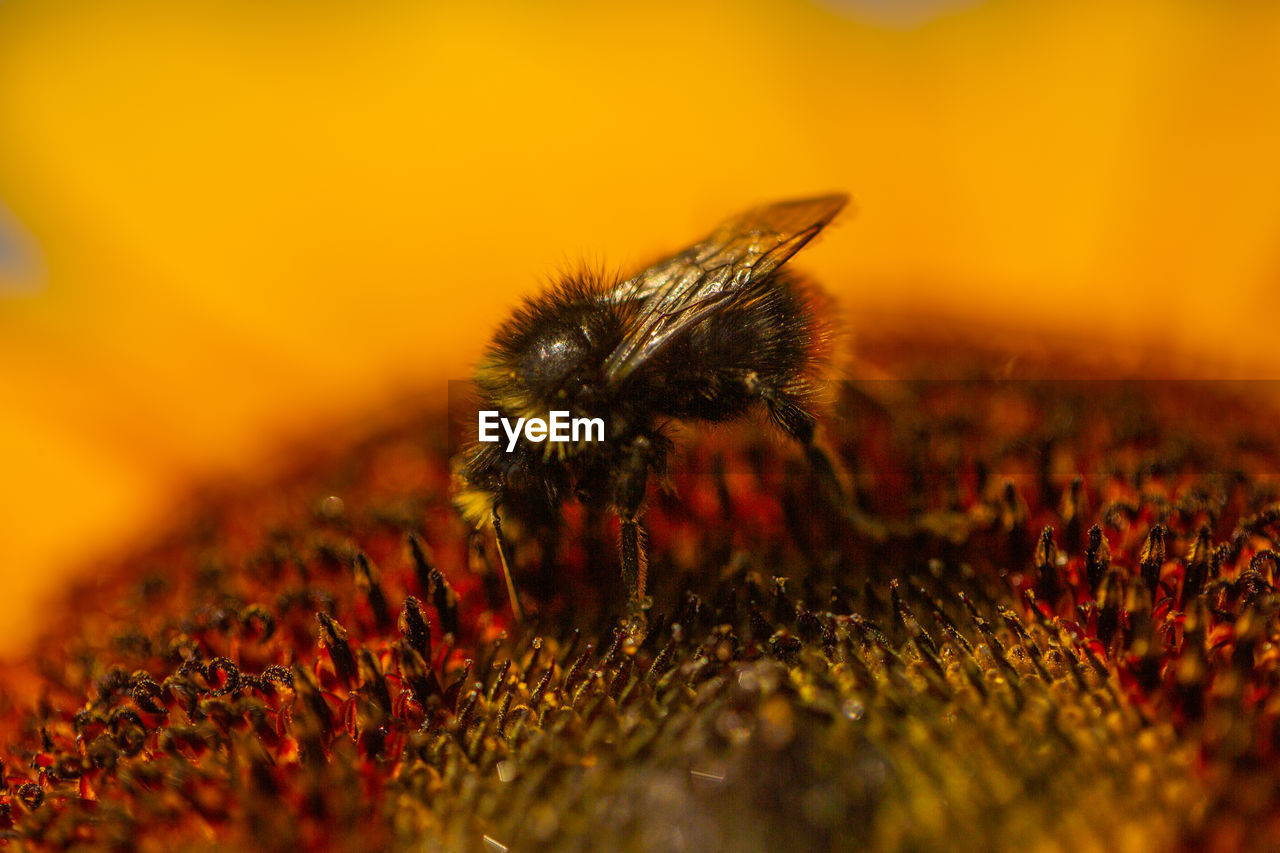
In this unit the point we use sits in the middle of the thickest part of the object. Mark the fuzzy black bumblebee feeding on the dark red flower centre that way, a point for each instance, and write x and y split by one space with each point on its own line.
707 335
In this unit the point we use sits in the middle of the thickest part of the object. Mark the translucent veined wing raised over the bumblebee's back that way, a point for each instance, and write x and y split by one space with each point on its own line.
678 294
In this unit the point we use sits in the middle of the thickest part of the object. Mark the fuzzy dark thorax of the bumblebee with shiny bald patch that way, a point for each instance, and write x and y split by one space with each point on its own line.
551 353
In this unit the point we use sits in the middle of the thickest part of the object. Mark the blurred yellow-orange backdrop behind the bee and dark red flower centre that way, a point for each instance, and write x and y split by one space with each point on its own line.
226 223
